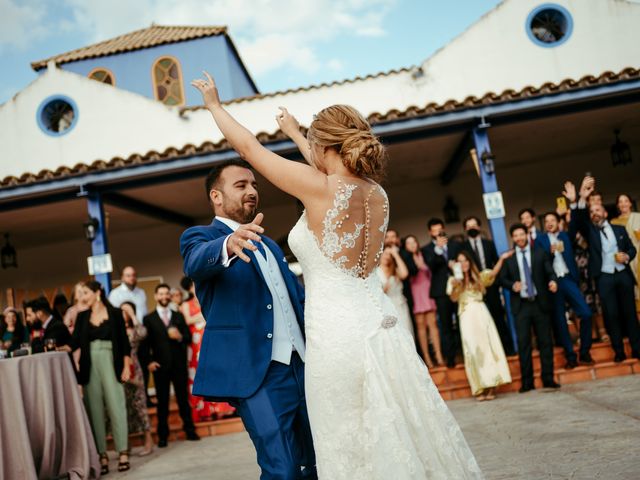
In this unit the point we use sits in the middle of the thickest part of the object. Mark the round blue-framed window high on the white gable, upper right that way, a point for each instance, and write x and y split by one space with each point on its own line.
549 25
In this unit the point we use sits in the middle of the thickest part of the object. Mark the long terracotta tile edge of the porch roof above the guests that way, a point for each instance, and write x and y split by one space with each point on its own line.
490 98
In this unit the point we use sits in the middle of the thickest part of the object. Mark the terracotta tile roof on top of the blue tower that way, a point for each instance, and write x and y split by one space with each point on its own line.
144 38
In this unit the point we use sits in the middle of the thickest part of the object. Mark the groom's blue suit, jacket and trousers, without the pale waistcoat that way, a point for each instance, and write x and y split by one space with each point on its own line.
235 358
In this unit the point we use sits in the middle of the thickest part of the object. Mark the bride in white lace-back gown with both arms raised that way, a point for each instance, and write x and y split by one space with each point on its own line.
374 411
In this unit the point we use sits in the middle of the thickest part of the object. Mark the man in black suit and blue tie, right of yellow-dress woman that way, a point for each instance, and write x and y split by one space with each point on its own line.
529 275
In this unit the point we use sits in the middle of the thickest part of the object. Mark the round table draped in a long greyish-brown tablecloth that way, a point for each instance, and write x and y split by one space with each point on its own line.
44 430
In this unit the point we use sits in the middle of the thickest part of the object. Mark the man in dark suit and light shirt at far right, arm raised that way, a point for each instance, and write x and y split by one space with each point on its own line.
610 251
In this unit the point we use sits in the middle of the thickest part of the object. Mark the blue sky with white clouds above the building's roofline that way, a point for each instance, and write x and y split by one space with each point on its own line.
284 43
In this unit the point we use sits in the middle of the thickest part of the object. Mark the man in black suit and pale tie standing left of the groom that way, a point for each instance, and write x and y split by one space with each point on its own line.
166 346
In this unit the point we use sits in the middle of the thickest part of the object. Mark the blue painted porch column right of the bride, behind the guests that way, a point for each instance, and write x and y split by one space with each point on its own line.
497 225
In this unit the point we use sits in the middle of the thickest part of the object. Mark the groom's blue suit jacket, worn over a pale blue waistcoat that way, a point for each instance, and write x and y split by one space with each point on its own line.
237 305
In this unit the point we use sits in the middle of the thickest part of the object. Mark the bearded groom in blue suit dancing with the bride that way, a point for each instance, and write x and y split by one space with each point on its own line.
253 346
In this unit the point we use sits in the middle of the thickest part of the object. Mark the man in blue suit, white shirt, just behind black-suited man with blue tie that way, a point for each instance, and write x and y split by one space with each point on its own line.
559 245
